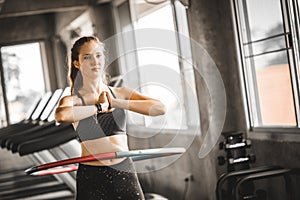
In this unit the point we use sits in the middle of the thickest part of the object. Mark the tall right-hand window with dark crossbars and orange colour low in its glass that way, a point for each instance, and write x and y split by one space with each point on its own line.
270 57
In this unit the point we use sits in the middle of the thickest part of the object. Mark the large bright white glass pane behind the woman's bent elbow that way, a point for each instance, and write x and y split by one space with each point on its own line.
155 64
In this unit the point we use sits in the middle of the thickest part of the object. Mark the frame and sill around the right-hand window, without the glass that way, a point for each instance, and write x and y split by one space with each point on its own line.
290 9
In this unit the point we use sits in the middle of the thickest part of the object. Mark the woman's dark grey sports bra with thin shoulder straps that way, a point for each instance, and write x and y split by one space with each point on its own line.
105 124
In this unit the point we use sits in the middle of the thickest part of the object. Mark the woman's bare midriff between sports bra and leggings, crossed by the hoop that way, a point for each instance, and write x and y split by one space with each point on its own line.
114 143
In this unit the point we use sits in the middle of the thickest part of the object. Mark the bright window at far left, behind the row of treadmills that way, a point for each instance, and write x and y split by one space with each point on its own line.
23 80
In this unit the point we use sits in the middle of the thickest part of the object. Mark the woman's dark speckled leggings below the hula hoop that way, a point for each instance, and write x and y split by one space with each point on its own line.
108 182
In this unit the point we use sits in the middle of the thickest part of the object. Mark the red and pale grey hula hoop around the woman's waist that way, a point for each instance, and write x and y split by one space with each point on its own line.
136 155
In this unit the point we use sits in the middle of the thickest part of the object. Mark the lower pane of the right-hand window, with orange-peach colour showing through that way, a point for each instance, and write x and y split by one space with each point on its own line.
275 90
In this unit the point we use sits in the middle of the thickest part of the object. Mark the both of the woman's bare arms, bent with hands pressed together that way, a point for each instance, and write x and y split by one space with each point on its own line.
70 108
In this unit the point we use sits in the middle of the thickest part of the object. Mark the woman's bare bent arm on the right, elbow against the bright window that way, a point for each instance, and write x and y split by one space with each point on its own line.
136 102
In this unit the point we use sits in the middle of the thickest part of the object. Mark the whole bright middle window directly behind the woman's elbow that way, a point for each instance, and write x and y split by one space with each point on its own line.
153 63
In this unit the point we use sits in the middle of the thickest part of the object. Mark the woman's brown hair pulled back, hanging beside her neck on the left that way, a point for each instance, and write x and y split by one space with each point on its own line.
74 73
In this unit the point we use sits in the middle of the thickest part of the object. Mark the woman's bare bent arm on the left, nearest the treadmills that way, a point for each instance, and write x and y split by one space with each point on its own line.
70 110
